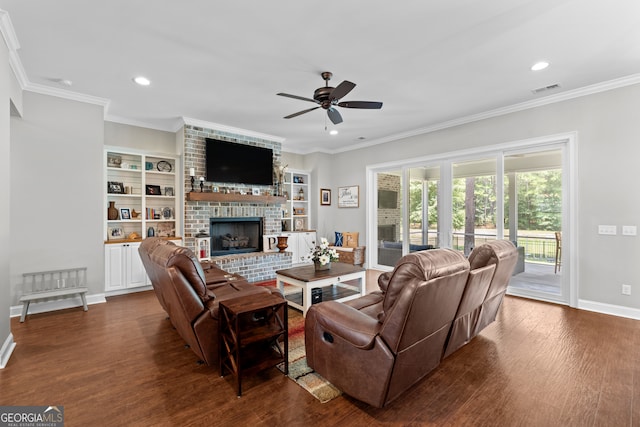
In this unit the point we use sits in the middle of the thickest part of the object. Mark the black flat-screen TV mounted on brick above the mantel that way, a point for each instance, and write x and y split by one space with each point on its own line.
235 163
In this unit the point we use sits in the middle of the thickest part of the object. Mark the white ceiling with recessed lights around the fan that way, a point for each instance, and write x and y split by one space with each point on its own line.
431 63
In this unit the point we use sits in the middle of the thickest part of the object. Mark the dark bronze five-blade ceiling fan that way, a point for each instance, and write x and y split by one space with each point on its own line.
328 97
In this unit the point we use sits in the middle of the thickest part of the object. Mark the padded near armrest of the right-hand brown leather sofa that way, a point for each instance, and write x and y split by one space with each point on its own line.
346 322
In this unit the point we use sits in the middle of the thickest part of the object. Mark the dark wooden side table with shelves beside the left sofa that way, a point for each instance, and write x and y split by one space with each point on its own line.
253 335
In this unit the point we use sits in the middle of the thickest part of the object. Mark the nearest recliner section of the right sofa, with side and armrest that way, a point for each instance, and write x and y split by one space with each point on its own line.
375 347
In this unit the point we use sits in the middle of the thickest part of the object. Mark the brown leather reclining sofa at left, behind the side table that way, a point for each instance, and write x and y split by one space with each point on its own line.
180 284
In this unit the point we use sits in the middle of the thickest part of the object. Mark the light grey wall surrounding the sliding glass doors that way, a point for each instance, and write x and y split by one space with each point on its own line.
608 147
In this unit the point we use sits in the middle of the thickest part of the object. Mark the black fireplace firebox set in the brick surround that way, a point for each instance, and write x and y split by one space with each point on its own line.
235 235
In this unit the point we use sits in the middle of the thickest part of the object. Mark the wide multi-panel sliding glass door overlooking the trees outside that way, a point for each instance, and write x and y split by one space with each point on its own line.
461 202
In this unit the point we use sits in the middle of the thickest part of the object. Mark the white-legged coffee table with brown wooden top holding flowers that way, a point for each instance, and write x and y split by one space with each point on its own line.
307 278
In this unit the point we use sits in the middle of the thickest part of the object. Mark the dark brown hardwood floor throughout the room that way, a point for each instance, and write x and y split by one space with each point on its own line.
122 364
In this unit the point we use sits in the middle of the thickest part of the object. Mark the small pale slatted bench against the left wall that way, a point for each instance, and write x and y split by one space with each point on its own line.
53 284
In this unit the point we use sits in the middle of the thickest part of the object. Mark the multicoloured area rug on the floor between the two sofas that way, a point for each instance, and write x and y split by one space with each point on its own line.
299 371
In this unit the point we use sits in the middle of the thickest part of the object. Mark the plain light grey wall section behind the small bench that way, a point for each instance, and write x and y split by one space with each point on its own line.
56 189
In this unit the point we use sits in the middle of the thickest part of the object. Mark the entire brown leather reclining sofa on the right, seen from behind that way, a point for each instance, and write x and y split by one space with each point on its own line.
375 347
